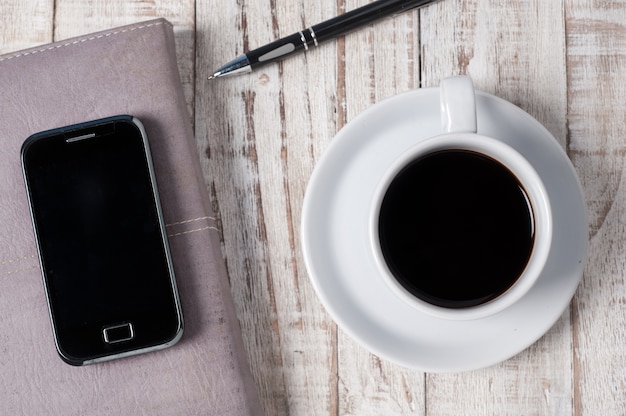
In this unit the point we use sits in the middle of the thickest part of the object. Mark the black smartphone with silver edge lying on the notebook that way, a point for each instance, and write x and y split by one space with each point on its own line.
101 240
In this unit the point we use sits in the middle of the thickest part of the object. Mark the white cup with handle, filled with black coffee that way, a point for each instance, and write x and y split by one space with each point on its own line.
461 223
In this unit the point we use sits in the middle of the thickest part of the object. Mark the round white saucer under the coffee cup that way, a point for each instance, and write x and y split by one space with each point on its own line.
340 262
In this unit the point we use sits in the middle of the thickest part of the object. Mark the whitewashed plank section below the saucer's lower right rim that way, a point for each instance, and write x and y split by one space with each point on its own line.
535 382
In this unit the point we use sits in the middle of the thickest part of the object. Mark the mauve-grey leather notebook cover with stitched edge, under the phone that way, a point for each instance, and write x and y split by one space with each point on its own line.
128 70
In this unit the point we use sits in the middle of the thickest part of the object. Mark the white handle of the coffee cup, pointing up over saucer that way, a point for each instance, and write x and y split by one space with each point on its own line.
458 105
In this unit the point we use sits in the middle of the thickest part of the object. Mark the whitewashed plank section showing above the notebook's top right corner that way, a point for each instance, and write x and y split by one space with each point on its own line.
77 17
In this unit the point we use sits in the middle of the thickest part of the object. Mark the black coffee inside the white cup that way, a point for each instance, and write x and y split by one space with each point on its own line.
456 228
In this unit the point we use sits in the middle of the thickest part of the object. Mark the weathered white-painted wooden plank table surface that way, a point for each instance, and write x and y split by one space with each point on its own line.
259 137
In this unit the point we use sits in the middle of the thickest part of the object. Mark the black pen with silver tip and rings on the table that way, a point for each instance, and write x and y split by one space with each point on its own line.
316 34
